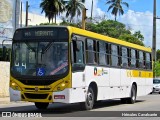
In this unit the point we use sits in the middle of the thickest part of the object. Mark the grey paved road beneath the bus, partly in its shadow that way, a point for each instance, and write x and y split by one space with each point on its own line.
146 105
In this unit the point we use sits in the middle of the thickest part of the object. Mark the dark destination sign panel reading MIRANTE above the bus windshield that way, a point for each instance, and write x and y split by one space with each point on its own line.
41 34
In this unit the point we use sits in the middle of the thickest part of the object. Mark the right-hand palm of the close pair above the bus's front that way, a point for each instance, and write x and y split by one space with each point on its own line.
74 7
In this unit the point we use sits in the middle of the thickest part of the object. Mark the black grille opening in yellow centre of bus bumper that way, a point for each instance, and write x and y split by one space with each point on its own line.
36 96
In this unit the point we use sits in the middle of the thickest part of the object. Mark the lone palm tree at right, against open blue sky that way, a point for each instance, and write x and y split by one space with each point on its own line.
116 6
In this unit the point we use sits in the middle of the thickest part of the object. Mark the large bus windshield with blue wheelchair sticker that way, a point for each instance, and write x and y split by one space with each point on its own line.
39 58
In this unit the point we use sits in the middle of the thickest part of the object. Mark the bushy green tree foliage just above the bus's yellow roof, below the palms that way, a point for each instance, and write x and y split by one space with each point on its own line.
109 28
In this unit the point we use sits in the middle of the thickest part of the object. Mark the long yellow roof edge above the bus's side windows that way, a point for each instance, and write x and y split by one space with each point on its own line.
107 39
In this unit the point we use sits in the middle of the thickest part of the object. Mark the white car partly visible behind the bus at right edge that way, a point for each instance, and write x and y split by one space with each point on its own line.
156 85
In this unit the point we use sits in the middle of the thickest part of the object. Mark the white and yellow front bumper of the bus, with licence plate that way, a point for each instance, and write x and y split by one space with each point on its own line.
61 96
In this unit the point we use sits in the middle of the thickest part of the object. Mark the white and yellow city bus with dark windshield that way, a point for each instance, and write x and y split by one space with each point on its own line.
64 64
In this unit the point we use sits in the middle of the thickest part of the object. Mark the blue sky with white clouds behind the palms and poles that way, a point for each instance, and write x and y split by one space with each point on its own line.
138 17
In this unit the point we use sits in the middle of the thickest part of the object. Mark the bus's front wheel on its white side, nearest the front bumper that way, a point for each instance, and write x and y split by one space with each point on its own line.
89 102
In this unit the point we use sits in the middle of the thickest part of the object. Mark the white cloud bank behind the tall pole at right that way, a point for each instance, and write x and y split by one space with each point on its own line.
142 21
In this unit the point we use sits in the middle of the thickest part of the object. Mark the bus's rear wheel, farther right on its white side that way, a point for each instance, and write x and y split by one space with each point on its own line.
132 99
